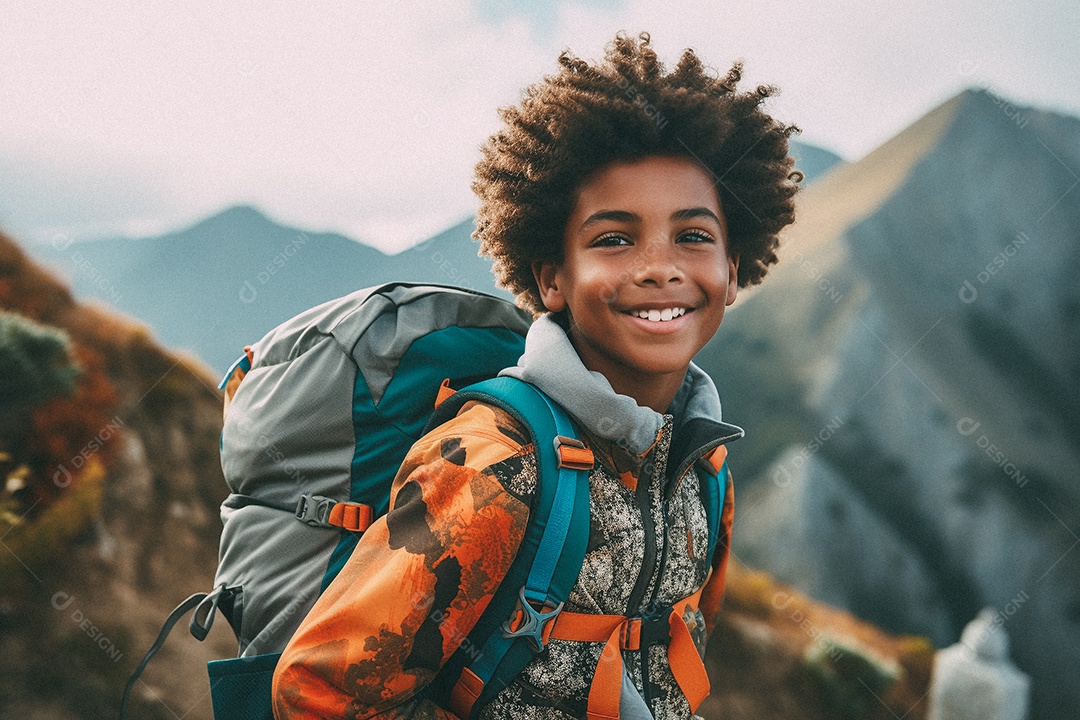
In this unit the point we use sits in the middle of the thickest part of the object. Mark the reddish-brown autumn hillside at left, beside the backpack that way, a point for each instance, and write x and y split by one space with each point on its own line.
109 517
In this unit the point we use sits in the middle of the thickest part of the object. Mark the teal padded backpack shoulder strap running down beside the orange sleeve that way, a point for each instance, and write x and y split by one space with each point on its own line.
519 620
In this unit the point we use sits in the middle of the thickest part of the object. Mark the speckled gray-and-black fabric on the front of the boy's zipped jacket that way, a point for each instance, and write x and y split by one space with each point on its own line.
647 549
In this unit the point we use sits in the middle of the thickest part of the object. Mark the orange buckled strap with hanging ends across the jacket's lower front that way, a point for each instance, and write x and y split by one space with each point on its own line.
619 633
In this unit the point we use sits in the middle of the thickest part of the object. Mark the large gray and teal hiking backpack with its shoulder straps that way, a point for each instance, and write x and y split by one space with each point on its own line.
319 416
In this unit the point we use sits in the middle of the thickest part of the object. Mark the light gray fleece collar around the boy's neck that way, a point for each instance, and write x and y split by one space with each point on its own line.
552 364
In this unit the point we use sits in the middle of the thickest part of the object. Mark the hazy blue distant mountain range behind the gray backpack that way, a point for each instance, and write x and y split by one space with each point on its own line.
224 282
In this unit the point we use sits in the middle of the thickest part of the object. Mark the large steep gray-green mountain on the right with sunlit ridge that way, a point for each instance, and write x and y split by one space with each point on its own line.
909 377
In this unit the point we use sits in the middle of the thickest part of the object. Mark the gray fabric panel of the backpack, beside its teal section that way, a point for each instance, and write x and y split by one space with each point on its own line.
289 431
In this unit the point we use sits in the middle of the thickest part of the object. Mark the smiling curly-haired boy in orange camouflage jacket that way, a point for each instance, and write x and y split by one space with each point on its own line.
625 208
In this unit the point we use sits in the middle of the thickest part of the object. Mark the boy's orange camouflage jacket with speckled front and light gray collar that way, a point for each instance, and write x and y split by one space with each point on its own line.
422 577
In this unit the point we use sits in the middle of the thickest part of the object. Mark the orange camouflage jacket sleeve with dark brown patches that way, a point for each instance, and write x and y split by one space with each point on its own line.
418 580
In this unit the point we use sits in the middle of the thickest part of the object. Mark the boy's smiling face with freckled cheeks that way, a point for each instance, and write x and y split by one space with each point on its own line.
646 274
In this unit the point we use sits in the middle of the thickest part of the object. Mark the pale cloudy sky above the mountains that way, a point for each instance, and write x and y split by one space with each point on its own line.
367 119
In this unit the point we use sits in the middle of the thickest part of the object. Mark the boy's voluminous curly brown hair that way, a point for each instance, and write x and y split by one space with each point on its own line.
574 124
